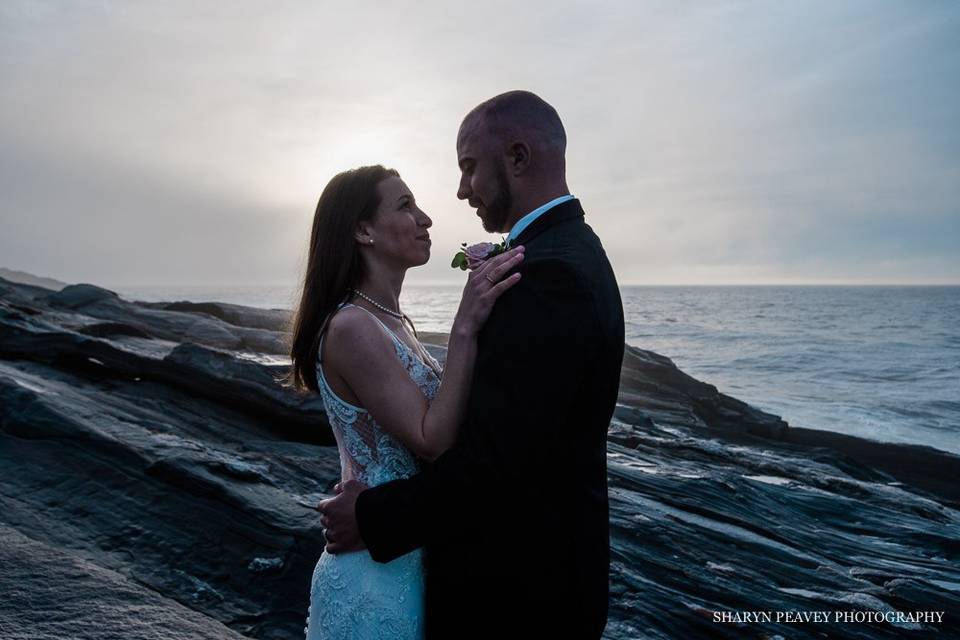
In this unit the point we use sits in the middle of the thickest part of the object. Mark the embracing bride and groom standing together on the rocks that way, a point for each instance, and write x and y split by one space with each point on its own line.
473 500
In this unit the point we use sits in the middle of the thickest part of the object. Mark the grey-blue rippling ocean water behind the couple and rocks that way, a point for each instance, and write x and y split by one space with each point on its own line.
880 362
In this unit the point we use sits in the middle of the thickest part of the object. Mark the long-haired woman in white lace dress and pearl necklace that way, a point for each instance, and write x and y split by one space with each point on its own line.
382 391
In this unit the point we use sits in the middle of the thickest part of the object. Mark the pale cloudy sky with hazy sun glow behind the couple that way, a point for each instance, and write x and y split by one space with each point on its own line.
814 142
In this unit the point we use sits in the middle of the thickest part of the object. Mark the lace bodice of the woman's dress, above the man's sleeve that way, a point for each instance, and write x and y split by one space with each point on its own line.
367 452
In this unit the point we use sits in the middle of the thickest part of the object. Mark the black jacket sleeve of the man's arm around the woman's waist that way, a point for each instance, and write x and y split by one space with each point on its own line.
536 344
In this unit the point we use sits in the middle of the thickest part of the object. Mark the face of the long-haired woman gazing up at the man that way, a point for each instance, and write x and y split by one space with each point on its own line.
399 228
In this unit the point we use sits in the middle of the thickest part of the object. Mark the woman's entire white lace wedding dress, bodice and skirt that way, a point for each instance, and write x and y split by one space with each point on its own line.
351 595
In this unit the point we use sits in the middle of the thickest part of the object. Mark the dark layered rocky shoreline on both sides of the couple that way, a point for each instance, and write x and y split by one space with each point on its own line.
154 475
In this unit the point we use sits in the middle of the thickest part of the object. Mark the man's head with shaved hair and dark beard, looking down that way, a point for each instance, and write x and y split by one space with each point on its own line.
510 150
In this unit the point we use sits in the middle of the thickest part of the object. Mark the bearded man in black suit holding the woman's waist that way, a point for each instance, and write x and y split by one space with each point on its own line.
514 517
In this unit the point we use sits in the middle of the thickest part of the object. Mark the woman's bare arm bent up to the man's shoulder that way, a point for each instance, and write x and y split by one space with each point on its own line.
360 352
